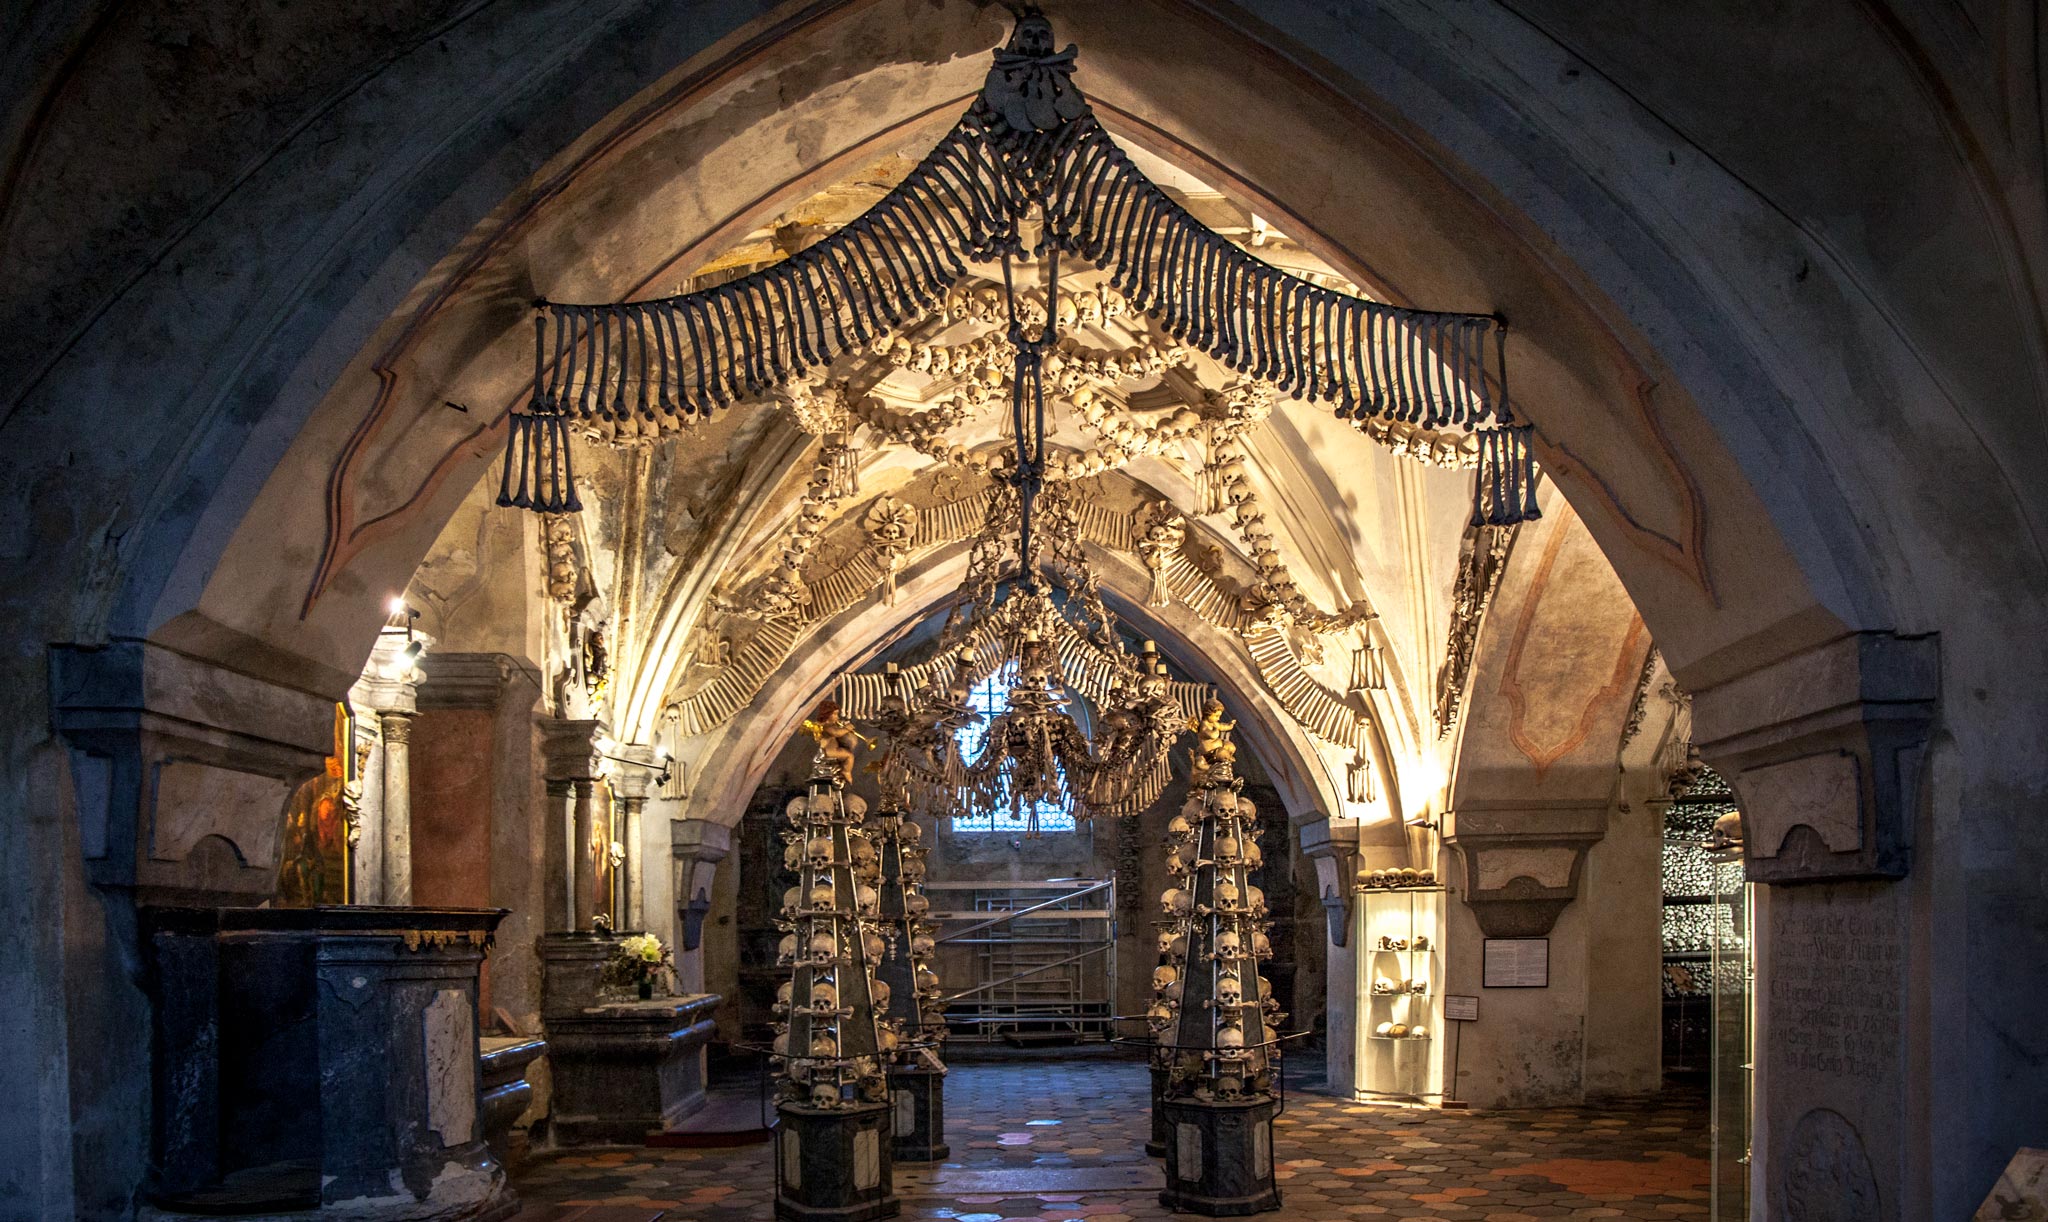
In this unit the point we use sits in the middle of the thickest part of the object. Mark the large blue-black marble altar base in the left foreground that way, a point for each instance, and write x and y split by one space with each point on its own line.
321 1061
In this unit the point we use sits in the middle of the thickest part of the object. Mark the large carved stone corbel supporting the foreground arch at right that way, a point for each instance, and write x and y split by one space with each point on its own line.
1826 756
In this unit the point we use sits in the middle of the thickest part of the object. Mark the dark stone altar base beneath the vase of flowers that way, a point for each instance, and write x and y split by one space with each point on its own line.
628 1070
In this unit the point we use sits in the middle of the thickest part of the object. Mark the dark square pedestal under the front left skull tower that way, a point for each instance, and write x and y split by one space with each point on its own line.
833 1164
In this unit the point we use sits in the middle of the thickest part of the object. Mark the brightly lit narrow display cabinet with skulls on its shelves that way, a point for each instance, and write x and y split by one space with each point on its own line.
1400 994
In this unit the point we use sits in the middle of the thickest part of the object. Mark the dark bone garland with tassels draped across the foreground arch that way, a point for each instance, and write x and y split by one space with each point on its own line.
1027 175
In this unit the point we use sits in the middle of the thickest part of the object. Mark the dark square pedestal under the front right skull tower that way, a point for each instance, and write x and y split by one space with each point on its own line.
1220 1158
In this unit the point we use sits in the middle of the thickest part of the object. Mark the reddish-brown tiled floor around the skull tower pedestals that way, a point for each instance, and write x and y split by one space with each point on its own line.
1050 1143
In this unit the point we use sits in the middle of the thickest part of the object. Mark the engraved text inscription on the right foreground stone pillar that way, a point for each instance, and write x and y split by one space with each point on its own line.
1834 992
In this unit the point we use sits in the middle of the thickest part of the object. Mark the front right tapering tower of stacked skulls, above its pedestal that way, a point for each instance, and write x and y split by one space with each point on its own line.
1226 1020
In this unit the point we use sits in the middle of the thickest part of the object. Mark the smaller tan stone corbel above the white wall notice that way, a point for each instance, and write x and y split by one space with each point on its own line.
1523 865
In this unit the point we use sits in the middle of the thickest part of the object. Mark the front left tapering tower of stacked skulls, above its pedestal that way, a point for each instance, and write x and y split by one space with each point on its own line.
828 1045
